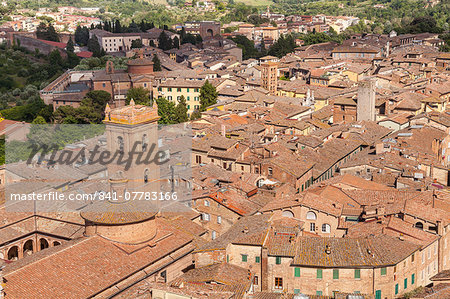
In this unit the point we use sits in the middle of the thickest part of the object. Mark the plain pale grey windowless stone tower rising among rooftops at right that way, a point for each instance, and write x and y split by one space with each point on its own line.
365 109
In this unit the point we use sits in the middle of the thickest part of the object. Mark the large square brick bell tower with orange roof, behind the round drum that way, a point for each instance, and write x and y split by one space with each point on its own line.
132 135
